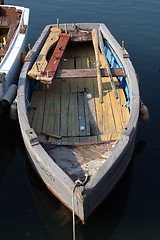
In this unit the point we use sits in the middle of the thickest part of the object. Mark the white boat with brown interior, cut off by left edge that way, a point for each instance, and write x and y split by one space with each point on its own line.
13 33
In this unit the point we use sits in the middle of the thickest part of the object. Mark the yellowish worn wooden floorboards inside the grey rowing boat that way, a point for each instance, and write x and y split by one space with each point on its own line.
71 109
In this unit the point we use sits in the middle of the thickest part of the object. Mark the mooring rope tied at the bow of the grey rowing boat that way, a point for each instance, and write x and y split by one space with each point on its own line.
78 182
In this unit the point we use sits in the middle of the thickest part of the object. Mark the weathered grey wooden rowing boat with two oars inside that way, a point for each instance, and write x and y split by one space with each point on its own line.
78 108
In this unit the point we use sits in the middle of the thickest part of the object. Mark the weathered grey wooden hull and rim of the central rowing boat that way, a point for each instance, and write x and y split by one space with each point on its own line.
88 197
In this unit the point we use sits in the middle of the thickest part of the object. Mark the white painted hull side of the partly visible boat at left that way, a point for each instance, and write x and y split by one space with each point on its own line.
10 64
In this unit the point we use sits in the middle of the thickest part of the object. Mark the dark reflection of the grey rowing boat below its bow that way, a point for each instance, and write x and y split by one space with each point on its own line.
58 219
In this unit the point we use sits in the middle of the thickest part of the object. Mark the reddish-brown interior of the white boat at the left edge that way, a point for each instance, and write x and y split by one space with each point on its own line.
9 21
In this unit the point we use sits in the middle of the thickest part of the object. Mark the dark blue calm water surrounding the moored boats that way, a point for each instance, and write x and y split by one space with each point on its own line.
132 211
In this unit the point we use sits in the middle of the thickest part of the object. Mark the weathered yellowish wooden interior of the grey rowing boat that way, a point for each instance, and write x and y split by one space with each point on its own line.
69 109
